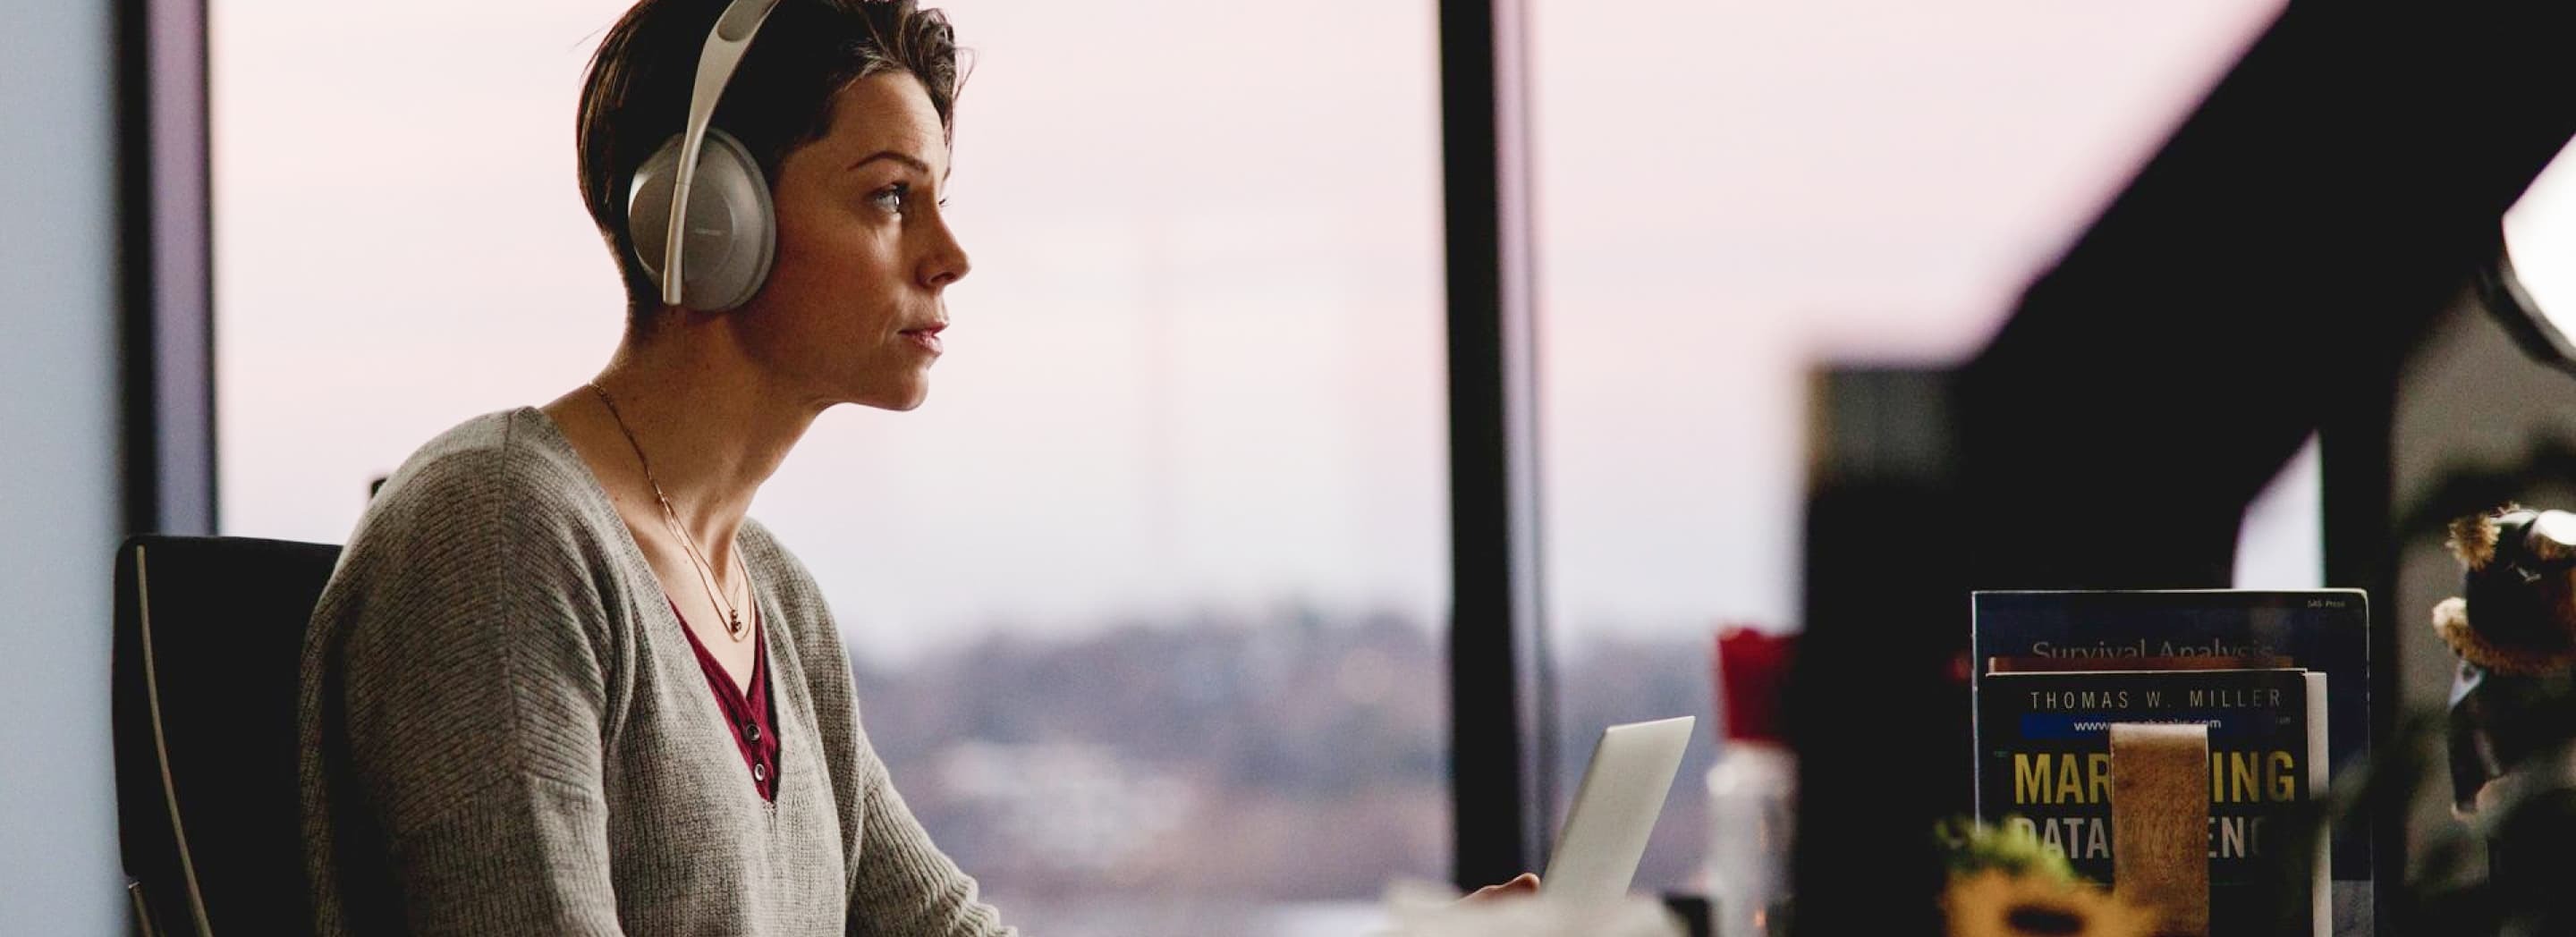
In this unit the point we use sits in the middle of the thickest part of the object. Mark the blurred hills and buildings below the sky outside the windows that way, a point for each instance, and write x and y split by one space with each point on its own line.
1230 774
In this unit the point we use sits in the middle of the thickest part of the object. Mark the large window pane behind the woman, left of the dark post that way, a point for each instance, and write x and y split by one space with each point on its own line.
1145 601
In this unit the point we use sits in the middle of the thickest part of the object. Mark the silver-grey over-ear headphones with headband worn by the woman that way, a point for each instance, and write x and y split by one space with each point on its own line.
730 225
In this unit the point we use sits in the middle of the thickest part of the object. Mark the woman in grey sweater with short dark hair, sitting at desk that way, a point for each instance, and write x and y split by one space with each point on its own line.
560 683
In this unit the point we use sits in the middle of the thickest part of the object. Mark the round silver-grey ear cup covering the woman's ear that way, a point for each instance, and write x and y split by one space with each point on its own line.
733 230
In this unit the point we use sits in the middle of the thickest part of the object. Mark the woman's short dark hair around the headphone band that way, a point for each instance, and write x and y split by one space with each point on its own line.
782 97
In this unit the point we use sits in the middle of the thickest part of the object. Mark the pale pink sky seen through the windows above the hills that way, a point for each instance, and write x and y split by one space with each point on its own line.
1199 362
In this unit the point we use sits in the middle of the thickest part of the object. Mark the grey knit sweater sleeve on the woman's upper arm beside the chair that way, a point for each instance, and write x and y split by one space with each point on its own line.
473 658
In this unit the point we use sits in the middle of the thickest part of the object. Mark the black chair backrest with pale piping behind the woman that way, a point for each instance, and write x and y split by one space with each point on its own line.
210 642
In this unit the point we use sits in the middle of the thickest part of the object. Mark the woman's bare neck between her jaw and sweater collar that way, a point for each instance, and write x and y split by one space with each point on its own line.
705 418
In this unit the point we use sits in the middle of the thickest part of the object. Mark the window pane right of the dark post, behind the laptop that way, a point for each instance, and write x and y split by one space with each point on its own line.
1735 194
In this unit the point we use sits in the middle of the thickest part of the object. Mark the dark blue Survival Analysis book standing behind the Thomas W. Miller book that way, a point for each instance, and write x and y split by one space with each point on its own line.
2322 629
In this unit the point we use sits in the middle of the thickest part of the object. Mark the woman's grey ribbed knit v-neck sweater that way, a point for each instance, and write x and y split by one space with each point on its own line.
506 730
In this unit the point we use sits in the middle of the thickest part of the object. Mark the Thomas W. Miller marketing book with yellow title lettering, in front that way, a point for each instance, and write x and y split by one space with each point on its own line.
2049 776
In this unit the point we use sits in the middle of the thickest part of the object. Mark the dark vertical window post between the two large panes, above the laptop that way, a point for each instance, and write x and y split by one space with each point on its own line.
1503 707
